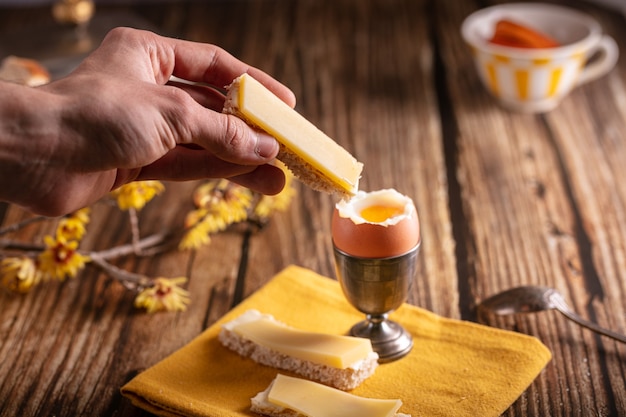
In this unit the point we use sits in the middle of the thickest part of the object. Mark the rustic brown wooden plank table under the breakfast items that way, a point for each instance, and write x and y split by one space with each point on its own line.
504 199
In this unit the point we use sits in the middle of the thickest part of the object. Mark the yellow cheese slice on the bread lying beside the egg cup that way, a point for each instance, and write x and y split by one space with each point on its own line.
327 349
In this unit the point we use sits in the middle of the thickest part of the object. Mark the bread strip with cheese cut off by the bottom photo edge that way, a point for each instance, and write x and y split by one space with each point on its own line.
294 397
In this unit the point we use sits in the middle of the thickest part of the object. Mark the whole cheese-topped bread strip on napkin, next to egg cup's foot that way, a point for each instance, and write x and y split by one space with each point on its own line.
343 362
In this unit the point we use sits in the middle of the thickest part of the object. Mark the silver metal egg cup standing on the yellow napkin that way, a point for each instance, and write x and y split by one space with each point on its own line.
377 287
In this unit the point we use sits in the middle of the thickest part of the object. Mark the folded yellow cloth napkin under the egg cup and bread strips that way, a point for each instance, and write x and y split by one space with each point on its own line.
456 368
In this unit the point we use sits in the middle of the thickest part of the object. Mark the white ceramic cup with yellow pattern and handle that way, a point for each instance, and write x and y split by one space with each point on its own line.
535 80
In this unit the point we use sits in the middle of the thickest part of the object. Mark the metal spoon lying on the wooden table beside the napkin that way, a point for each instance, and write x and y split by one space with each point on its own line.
530 299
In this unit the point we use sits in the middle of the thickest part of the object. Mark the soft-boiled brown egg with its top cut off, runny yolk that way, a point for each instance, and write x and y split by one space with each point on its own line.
377 224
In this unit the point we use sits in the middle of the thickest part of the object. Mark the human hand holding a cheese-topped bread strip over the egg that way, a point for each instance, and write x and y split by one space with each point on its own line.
118 118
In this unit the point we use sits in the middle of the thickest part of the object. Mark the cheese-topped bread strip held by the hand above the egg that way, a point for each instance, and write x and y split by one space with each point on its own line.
312 156
